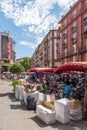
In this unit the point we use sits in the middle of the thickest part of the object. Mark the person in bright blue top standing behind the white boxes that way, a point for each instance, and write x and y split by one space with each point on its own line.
67 90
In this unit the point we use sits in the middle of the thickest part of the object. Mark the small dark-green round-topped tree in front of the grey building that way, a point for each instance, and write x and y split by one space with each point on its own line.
16 68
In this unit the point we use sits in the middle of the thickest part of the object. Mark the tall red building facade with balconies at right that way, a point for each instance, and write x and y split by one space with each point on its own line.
74 33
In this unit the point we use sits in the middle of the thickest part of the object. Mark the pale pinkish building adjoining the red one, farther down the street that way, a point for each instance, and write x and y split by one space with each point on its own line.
47 53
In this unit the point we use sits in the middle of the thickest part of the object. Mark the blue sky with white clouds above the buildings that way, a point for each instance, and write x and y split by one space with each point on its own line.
28 21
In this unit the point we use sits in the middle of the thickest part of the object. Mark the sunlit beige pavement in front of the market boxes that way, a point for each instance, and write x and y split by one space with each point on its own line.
14 116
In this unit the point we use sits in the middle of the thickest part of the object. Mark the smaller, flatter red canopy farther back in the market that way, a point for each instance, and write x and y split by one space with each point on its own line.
41 70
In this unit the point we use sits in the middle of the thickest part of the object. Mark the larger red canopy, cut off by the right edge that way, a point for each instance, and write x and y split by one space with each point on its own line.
72 66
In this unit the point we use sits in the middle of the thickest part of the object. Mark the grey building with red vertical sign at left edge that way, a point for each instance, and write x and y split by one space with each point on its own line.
6 50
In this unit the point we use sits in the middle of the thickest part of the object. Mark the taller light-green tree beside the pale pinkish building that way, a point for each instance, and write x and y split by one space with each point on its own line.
26 62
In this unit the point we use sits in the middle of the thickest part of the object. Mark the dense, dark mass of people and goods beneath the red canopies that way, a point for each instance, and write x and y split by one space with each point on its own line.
64 85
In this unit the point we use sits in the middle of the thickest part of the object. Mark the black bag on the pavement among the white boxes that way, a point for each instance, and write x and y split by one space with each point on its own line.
31 103
